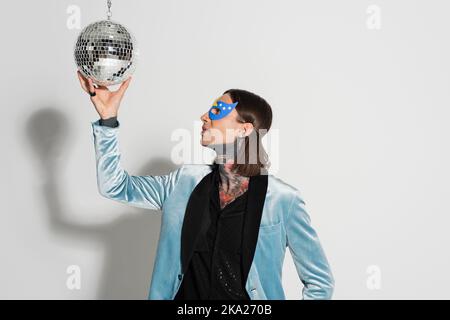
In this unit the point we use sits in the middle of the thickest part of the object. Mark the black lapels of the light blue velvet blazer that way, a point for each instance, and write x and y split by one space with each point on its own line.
198 207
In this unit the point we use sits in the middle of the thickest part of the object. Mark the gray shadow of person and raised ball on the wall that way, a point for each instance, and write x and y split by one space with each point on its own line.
128 241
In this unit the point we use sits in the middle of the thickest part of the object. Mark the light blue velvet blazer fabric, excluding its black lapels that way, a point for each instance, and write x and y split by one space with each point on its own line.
277 220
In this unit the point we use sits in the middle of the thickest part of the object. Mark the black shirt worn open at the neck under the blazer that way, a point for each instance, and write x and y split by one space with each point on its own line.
214 271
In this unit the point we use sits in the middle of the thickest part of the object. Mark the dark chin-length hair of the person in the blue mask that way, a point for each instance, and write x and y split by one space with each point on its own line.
254 109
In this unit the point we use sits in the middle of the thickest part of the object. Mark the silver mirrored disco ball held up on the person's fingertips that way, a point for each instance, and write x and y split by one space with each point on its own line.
106 52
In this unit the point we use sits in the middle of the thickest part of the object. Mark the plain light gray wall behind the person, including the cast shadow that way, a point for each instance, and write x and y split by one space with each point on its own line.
362 117
